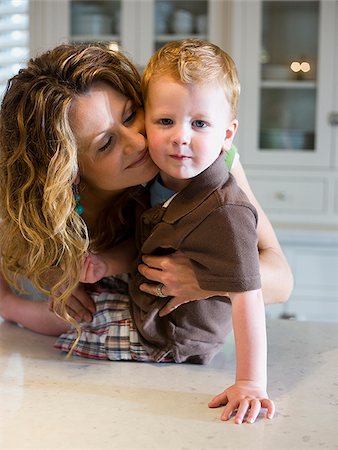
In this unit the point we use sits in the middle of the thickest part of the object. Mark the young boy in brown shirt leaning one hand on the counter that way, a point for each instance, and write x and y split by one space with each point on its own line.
190 93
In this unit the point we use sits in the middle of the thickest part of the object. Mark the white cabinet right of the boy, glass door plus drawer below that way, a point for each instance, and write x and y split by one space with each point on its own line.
287 55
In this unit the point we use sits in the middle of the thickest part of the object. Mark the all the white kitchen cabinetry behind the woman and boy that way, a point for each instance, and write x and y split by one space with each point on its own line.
288 116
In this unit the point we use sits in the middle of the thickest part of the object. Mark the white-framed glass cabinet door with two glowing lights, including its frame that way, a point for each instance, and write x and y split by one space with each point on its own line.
287 76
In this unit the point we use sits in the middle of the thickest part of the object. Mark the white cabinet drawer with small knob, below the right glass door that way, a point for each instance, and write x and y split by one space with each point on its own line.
290 195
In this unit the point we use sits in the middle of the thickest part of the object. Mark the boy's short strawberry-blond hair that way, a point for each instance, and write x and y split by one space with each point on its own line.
194 61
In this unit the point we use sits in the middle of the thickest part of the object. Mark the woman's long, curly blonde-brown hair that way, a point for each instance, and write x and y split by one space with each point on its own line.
39 228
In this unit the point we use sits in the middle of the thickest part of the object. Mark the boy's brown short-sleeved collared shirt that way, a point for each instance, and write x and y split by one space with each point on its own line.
212 222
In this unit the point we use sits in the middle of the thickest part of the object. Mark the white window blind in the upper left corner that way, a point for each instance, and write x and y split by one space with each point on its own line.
14 38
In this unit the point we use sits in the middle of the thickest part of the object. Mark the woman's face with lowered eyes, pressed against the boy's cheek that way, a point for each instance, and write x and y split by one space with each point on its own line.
109 129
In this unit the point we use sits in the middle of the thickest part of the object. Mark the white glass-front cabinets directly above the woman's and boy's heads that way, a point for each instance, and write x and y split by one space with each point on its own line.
137 27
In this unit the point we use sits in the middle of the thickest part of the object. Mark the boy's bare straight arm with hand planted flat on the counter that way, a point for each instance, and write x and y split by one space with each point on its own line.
248 395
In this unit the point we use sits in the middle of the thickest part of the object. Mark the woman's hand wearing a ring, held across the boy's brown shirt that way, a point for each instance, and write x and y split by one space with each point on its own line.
176 274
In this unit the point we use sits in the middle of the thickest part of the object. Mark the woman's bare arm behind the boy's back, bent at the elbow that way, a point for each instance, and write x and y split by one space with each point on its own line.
276 275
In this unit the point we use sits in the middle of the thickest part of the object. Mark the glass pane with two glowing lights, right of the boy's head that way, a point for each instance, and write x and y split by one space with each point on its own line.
288 63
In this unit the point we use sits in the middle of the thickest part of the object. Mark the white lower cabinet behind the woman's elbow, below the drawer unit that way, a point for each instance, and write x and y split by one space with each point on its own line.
313 257
